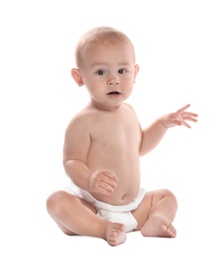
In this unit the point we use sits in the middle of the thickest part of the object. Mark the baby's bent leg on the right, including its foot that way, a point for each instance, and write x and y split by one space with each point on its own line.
156 214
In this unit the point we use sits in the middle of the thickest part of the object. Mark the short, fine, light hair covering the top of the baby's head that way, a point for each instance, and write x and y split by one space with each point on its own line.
100 36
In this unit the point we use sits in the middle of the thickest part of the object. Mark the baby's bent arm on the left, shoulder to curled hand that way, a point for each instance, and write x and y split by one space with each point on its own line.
76 147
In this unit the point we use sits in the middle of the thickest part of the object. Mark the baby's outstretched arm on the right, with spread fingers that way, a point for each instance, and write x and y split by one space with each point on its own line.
152 135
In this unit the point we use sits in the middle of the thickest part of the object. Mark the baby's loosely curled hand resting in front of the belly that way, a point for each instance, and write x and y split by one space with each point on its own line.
103 182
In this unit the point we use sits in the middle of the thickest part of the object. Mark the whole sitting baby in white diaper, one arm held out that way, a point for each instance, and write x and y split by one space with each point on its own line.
102 147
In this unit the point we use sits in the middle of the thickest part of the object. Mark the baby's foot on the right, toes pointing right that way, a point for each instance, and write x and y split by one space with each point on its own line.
158 226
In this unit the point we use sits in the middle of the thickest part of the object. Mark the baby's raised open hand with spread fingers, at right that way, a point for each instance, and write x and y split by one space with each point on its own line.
180 117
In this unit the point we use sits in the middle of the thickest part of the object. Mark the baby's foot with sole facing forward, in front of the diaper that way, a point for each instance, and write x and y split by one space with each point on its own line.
115 234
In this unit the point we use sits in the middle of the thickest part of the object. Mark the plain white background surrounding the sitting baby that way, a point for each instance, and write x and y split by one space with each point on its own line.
178 49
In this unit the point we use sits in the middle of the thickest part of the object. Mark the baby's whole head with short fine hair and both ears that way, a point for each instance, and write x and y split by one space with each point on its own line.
105 61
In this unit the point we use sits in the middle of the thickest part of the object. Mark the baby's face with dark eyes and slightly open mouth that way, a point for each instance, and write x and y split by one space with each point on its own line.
109 72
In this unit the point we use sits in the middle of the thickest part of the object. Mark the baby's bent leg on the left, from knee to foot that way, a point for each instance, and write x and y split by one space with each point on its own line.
76 216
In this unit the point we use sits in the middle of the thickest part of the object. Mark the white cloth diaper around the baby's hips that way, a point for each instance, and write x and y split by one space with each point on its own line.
120 214
